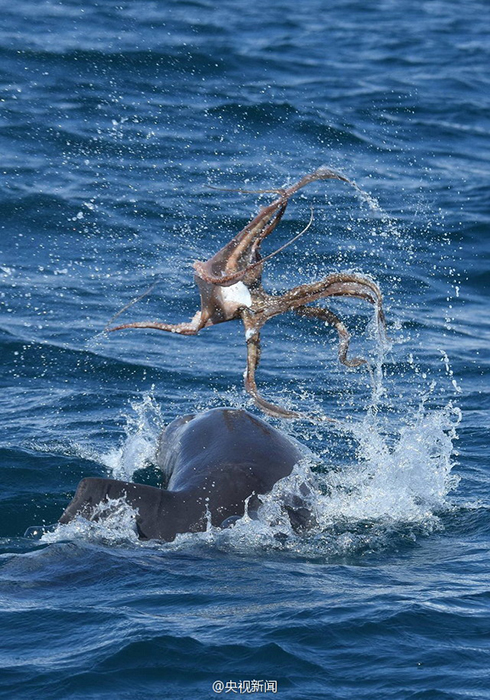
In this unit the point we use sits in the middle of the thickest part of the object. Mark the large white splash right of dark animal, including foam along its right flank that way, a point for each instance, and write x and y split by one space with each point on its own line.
390 492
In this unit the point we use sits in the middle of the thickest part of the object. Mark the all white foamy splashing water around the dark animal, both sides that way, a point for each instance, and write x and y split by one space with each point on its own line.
396 488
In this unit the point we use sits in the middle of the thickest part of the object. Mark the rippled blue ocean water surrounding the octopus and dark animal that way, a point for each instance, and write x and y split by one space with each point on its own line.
115 120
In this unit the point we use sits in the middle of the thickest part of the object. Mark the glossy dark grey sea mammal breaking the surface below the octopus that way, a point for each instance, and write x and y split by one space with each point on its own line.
214 466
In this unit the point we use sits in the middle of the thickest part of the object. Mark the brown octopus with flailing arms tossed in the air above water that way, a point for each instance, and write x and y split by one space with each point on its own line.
230 286
